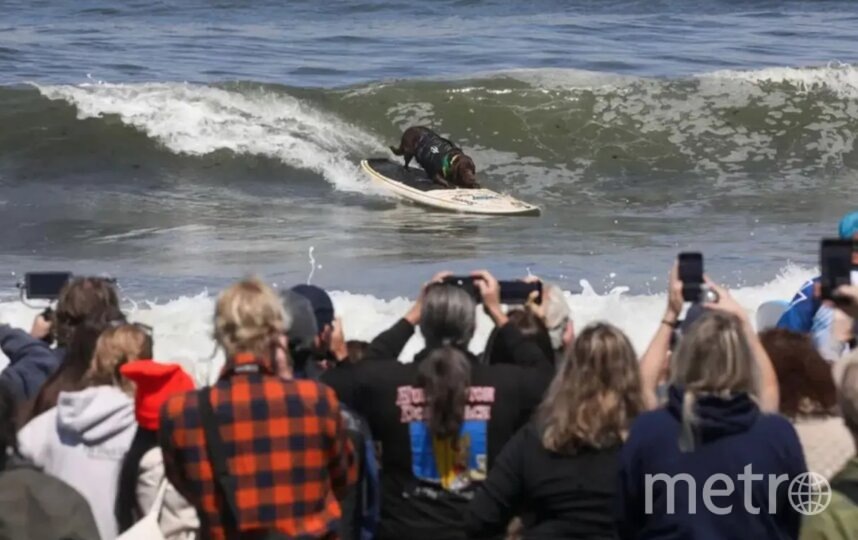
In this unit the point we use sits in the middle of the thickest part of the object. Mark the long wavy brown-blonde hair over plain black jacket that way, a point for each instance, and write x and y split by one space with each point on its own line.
595 395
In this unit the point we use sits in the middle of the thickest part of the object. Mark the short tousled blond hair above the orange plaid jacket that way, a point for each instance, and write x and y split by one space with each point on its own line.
249 316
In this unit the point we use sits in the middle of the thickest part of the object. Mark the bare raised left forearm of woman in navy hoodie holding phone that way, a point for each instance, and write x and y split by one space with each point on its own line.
654 359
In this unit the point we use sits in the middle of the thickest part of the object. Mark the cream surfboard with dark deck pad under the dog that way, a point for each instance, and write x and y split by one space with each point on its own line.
413 185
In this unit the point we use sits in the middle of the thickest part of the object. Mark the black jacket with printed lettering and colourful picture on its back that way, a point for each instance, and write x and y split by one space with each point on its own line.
426 489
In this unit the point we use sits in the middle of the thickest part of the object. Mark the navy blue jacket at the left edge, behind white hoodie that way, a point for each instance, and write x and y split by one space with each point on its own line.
31 362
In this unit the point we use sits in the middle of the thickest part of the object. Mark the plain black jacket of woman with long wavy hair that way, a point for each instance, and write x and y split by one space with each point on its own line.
559 496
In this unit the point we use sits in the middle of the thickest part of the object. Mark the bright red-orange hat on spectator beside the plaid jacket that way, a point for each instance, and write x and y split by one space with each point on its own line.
155 383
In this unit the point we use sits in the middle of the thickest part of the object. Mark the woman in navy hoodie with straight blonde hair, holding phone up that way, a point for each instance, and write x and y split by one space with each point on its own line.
711 426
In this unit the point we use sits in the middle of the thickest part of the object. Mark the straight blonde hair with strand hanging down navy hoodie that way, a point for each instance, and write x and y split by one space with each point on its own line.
713 358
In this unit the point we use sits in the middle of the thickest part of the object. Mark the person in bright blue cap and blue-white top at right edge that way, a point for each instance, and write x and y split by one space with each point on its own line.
806 313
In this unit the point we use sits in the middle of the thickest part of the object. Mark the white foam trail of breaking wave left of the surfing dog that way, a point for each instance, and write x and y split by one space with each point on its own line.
197 120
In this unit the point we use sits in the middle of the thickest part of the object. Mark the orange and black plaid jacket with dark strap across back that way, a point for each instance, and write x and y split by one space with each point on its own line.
285 445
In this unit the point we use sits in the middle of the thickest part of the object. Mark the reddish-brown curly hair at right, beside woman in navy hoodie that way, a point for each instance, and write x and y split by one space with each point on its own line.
805 378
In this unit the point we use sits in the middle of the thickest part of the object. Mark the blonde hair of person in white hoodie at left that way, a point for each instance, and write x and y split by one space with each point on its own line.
117 346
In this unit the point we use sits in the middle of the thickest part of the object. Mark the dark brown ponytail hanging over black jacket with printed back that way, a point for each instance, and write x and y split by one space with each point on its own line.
445 376
